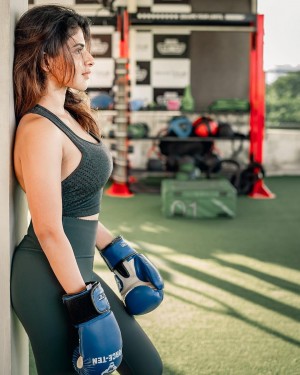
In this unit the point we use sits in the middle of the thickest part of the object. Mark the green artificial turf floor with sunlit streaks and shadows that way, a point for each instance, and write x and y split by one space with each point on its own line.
232 286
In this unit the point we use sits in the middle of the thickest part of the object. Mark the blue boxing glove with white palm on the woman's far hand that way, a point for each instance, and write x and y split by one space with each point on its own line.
139 282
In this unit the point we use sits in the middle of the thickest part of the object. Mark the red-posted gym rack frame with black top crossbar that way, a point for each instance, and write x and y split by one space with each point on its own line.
252 23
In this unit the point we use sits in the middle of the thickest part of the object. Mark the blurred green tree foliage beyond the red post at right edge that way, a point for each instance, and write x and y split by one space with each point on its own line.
283 99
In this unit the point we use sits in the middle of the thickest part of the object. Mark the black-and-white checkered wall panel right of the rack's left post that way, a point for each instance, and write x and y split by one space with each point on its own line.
162 65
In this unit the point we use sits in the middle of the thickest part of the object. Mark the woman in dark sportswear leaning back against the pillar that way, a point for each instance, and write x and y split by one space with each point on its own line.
62 166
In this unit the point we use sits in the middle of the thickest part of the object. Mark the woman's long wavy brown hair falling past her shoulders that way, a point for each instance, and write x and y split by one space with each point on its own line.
44 31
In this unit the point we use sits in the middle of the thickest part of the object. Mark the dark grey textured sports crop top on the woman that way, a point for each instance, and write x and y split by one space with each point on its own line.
82 189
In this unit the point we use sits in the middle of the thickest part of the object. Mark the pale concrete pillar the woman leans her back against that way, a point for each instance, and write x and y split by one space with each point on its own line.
13 211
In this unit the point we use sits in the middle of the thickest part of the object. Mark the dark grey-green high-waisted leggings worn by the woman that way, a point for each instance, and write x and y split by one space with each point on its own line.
36 299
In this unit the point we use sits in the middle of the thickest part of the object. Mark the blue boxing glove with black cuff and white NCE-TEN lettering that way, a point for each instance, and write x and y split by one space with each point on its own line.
100 341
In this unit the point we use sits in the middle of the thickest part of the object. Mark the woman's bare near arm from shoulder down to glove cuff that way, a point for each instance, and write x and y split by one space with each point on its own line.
39 147
